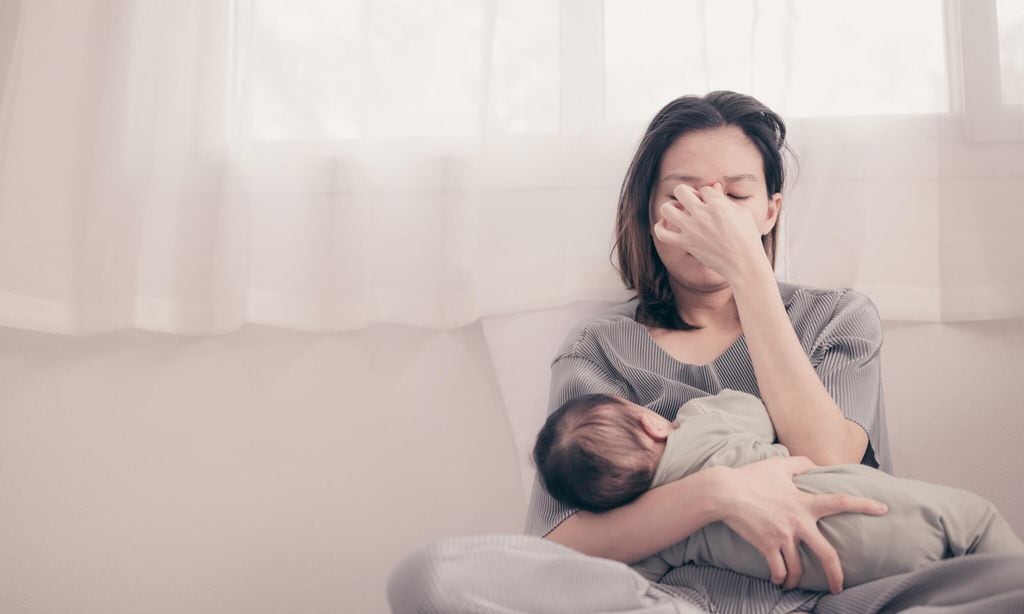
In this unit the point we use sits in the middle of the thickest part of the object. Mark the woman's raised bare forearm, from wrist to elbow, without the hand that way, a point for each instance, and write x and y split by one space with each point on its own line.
807 420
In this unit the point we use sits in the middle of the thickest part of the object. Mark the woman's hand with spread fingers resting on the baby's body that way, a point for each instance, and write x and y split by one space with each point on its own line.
765 508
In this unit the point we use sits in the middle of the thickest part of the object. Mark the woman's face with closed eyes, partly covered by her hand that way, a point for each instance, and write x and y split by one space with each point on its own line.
701 159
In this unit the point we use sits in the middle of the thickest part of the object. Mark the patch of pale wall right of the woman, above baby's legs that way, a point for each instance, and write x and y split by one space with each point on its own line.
955 397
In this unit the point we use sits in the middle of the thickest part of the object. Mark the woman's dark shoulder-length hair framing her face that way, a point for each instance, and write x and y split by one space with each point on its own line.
638 262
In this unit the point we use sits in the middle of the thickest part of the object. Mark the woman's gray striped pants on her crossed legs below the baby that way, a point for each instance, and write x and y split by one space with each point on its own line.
511 575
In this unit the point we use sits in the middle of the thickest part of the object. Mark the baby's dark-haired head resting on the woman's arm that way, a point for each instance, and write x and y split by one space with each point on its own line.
590 454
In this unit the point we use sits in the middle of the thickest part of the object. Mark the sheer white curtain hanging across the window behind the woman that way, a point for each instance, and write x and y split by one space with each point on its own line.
191 166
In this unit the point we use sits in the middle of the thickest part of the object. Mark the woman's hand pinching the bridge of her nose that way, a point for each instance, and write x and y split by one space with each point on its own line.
722 235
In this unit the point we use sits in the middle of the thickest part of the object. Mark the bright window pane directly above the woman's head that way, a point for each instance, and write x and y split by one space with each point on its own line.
801 58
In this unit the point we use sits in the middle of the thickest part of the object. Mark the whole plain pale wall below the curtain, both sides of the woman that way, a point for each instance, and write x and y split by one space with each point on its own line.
274 471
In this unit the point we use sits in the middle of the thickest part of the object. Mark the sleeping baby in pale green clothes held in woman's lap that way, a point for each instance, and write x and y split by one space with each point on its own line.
600 452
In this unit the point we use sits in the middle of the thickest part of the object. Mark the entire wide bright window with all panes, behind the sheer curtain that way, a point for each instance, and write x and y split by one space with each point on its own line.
337 70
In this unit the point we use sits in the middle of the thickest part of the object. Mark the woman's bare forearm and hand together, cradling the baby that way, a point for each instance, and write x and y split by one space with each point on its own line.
759 502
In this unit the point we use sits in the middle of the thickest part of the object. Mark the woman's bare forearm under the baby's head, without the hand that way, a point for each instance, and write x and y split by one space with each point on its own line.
662 517
